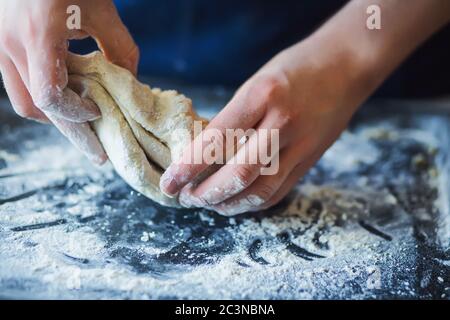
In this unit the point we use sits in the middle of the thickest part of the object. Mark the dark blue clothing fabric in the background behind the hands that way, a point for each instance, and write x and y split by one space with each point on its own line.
226 41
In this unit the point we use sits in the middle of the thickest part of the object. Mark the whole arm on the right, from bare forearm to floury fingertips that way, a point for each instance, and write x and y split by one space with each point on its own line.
308 92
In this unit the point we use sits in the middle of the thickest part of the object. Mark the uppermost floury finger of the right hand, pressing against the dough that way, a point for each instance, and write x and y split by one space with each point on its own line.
239 113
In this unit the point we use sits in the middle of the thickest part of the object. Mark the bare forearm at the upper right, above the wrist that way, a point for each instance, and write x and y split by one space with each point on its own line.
405 24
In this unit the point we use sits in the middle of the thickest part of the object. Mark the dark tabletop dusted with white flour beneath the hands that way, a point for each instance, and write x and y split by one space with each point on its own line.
370 220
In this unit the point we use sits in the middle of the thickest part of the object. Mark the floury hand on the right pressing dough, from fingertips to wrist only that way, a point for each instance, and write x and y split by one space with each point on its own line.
308 97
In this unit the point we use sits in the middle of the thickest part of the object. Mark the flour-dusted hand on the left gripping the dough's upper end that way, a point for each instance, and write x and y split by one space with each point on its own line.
33 49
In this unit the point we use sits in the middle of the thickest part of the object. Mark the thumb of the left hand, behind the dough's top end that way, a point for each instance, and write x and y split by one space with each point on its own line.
114 39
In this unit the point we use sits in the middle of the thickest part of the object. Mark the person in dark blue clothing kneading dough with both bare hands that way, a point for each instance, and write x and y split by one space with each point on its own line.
308 89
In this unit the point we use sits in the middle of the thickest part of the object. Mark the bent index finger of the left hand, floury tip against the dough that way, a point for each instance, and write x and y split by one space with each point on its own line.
48 80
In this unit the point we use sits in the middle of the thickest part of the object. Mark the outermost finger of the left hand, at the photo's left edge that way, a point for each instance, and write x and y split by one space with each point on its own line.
18 93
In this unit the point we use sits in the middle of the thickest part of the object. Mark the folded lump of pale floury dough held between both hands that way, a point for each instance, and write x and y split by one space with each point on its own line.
141 129
